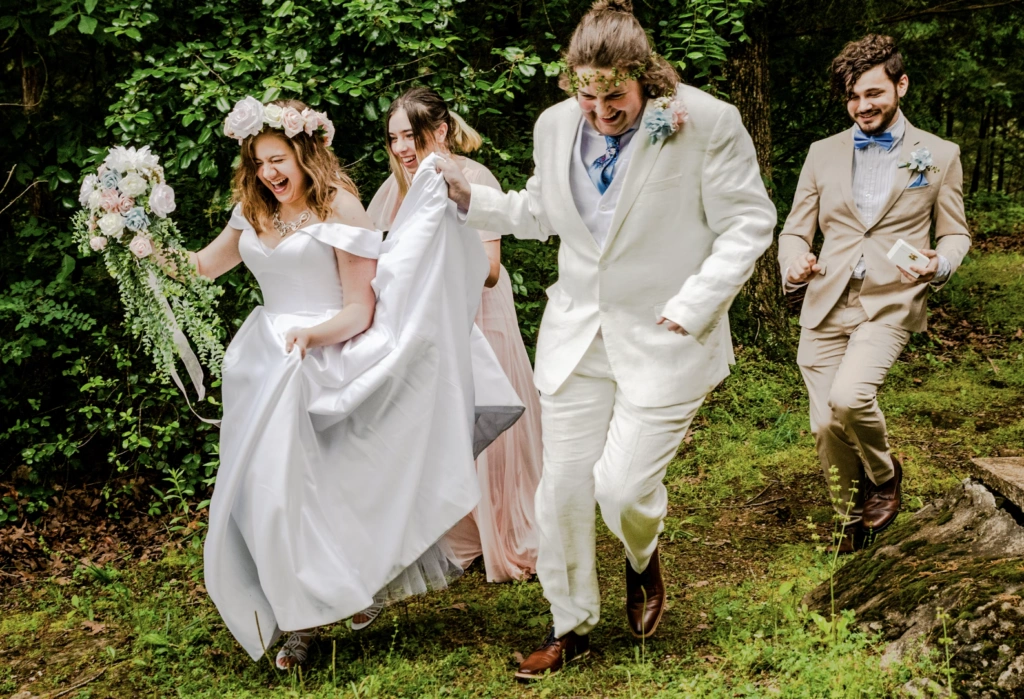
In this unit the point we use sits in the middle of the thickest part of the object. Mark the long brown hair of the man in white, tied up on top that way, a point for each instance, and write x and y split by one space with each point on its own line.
610 38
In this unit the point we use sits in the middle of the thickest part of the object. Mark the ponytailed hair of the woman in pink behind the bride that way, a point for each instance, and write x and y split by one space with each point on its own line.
428 111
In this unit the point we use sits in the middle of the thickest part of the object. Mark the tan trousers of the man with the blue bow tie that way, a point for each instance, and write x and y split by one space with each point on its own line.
844 362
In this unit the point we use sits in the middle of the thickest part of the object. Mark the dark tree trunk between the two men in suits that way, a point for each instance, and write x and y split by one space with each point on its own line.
749 84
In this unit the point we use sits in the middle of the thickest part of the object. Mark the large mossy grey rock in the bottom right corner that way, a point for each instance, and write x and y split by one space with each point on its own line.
961 554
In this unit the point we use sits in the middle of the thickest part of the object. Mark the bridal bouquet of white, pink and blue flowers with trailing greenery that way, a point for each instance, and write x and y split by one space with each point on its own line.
126 205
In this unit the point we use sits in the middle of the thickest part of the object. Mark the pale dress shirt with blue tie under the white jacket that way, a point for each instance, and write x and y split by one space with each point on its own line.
596 209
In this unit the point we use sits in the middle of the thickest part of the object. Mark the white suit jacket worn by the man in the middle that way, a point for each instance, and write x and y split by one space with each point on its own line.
693 220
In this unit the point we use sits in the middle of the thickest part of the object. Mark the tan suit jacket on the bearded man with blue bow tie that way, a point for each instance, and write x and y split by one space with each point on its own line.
825 201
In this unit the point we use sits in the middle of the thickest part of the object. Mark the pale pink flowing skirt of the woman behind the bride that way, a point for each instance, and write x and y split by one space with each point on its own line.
503 528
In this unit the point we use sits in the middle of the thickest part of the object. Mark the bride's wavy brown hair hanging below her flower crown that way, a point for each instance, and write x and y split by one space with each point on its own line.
316 159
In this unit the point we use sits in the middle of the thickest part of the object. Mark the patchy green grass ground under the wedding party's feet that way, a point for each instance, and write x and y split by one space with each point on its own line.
737 554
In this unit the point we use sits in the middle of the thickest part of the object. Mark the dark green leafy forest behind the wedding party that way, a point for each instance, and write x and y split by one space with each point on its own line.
79 401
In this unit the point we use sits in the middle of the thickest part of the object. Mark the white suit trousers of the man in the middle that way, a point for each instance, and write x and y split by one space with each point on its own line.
600 448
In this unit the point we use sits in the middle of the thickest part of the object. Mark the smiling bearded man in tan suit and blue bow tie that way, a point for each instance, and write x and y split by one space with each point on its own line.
866 189
